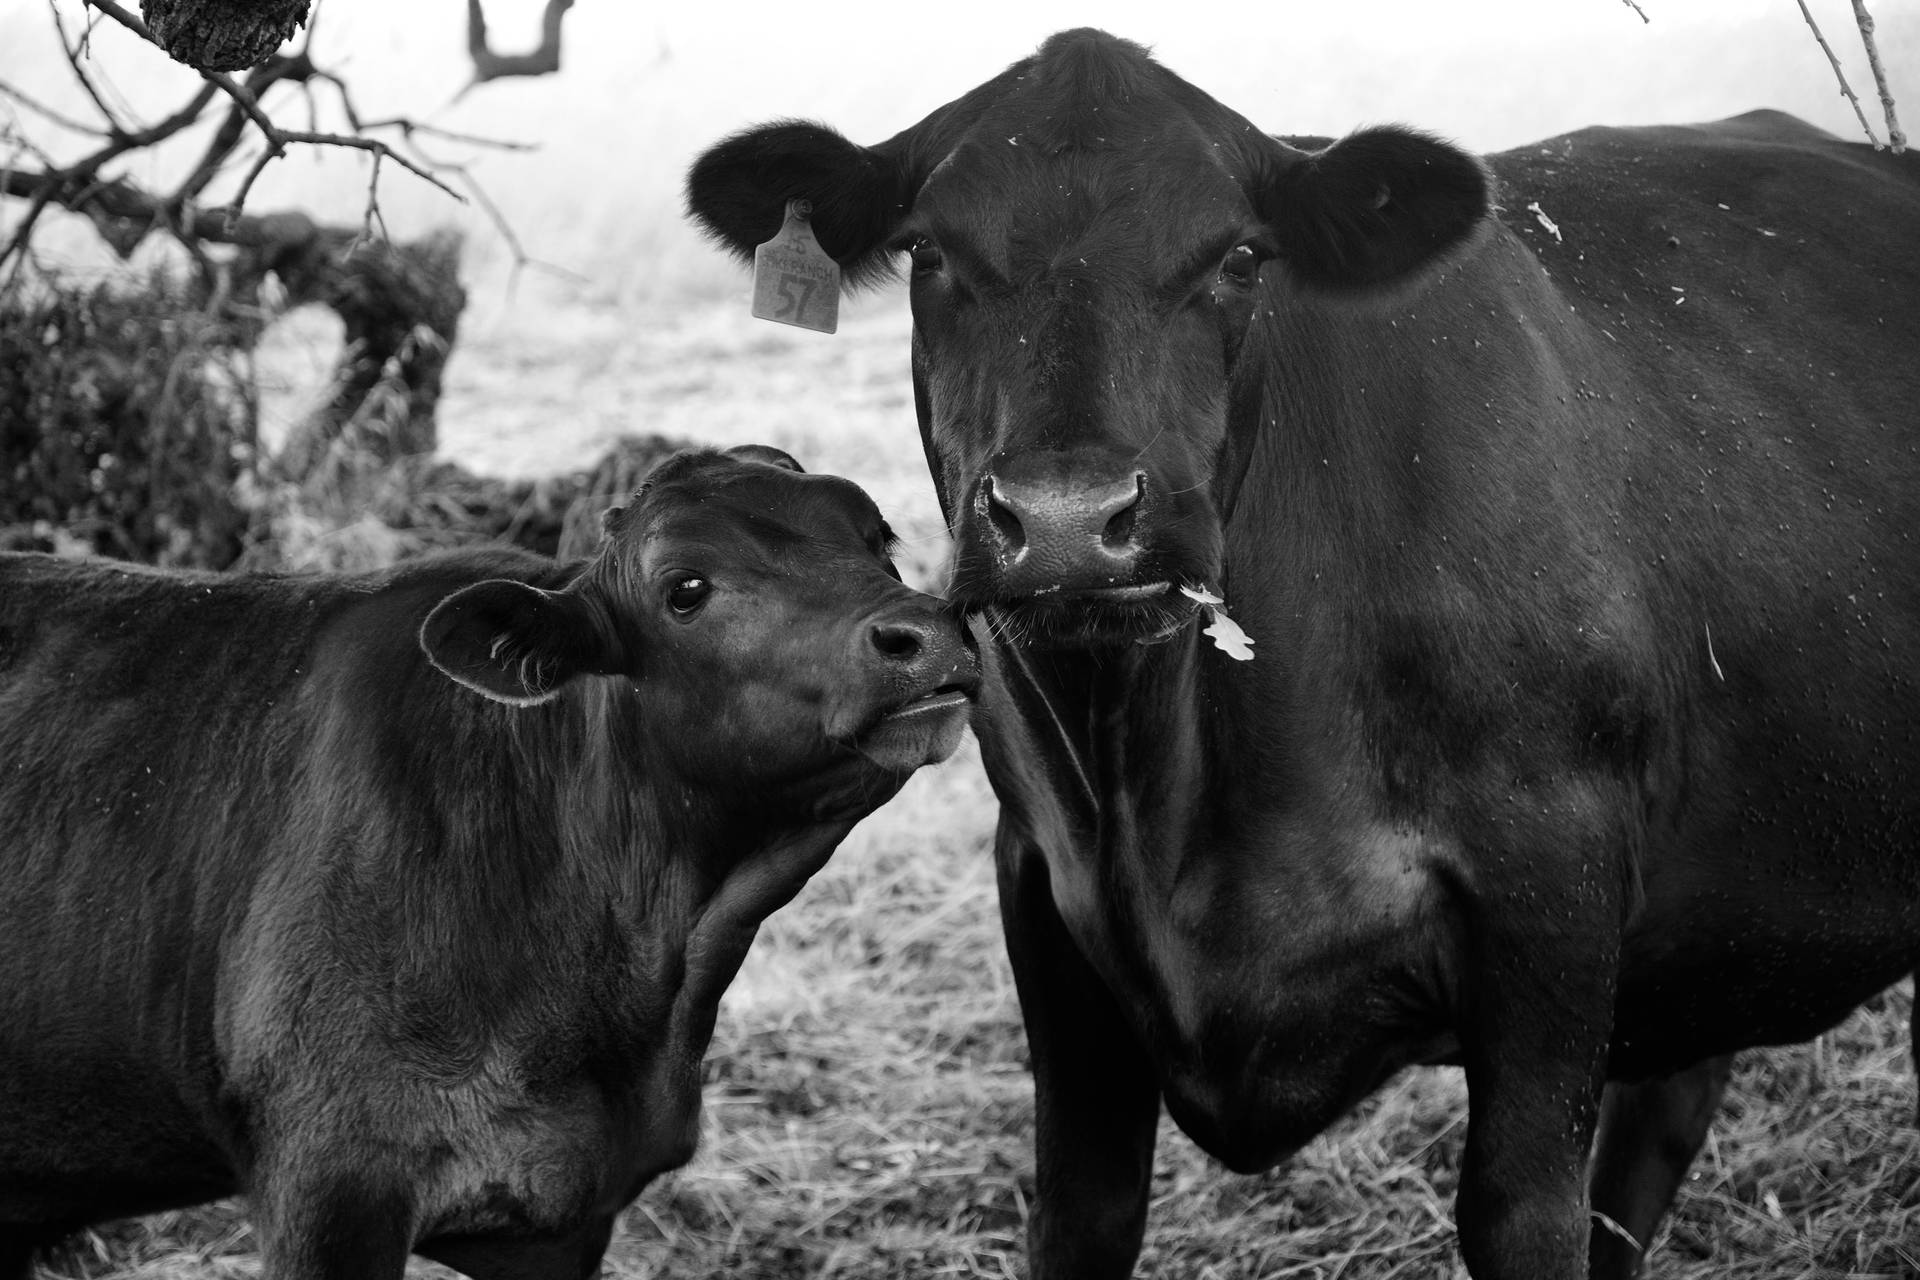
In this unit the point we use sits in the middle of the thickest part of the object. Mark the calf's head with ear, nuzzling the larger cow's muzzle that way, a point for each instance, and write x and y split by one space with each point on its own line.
754 619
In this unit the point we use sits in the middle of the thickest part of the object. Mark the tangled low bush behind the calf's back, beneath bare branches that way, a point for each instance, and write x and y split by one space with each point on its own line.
130 429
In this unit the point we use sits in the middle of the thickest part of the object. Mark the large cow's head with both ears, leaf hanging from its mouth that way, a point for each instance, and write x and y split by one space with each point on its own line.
1093 245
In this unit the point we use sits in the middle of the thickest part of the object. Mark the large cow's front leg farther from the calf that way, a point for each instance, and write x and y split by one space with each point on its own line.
1539 984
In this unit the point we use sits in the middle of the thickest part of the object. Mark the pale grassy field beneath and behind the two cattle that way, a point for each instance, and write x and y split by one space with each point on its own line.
869 1106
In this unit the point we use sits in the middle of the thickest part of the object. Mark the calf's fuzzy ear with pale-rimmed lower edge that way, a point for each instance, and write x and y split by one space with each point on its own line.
517 644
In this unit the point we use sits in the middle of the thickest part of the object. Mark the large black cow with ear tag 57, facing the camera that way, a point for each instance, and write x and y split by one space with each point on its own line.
1581 571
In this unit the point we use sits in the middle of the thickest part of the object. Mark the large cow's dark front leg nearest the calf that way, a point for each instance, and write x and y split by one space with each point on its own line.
1095 1097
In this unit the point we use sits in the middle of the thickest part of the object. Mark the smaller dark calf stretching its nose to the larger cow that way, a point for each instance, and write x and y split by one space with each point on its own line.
287 911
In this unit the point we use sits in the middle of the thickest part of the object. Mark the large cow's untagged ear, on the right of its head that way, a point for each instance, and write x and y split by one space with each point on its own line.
1376 208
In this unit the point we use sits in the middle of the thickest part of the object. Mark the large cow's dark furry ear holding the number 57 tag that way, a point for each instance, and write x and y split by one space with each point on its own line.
738 193
